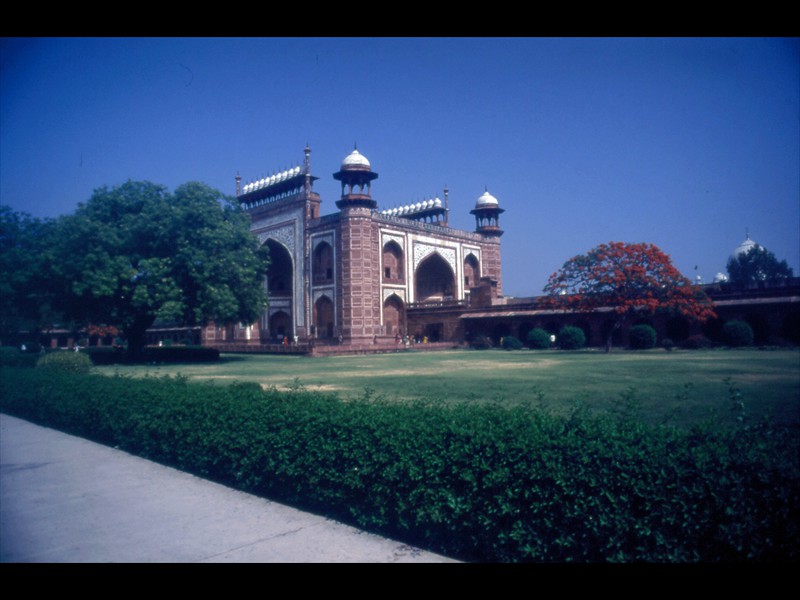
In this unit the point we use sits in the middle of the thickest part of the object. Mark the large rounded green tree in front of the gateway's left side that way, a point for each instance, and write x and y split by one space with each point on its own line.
136 253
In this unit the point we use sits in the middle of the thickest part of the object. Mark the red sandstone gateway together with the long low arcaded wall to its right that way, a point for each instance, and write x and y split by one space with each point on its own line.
361 279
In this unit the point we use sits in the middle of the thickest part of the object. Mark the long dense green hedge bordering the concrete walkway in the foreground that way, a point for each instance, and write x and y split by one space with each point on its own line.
477 482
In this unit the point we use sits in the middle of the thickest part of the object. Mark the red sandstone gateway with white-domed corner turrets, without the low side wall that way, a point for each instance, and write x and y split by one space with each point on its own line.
358 276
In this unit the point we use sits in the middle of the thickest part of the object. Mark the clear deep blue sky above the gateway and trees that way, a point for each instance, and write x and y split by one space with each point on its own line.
686 143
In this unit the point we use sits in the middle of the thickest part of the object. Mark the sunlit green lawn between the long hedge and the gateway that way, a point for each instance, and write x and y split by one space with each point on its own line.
680 387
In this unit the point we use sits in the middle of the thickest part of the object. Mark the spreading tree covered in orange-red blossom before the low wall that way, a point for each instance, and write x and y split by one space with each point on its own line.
633 280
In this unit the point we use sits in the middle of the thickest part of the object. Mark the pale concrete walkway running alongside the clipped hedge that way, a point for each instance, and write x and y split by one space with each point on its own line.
67 500
